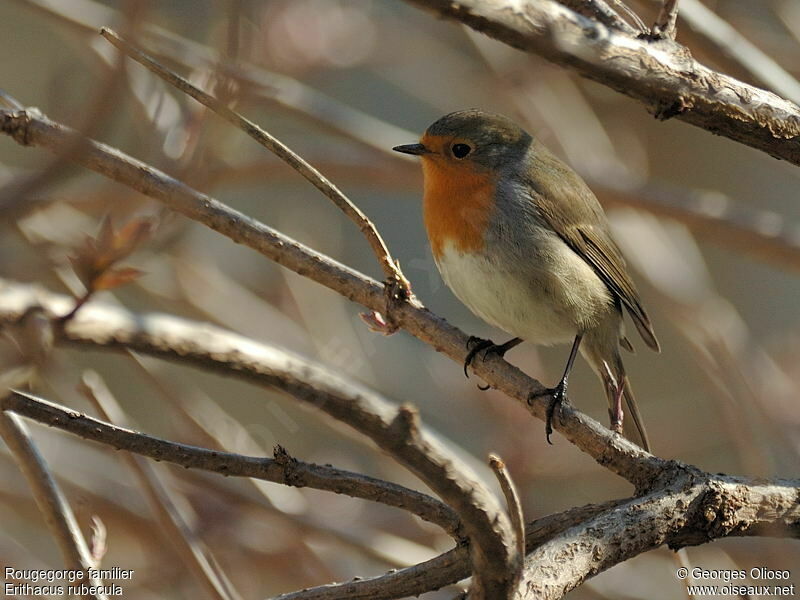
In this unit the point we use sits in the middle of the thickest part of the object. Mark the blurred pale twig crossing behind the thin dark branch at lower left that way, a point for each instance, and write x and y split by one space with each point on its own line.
191 549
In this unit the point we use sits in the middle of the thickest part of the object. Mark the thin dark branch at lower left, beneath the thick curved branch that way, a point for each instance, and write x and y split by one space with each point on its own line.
288 472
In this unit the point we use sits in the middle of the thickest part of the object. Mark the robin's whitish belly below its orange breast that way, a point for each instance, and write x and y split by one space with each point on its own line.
544 304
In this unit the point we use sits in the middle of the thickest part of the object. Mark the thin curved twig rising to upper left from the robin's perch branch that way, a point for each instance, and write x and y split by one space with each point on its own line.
388 264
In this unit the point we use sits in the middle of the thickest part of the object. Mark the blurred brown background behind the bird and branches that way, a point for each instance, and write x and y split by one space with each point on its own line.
341 82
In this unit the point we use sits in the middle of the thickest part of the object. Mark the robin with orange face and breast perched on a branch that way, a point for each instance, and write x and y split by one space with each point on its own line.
522 241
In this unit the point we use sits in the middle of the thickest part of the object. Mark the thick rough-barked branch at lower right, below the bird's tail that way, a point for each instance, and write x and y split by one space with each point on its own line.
690 510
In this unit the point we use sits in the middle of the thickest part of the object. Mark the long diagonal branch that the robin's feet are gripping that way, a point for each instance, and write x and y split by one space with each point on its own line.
29 127
